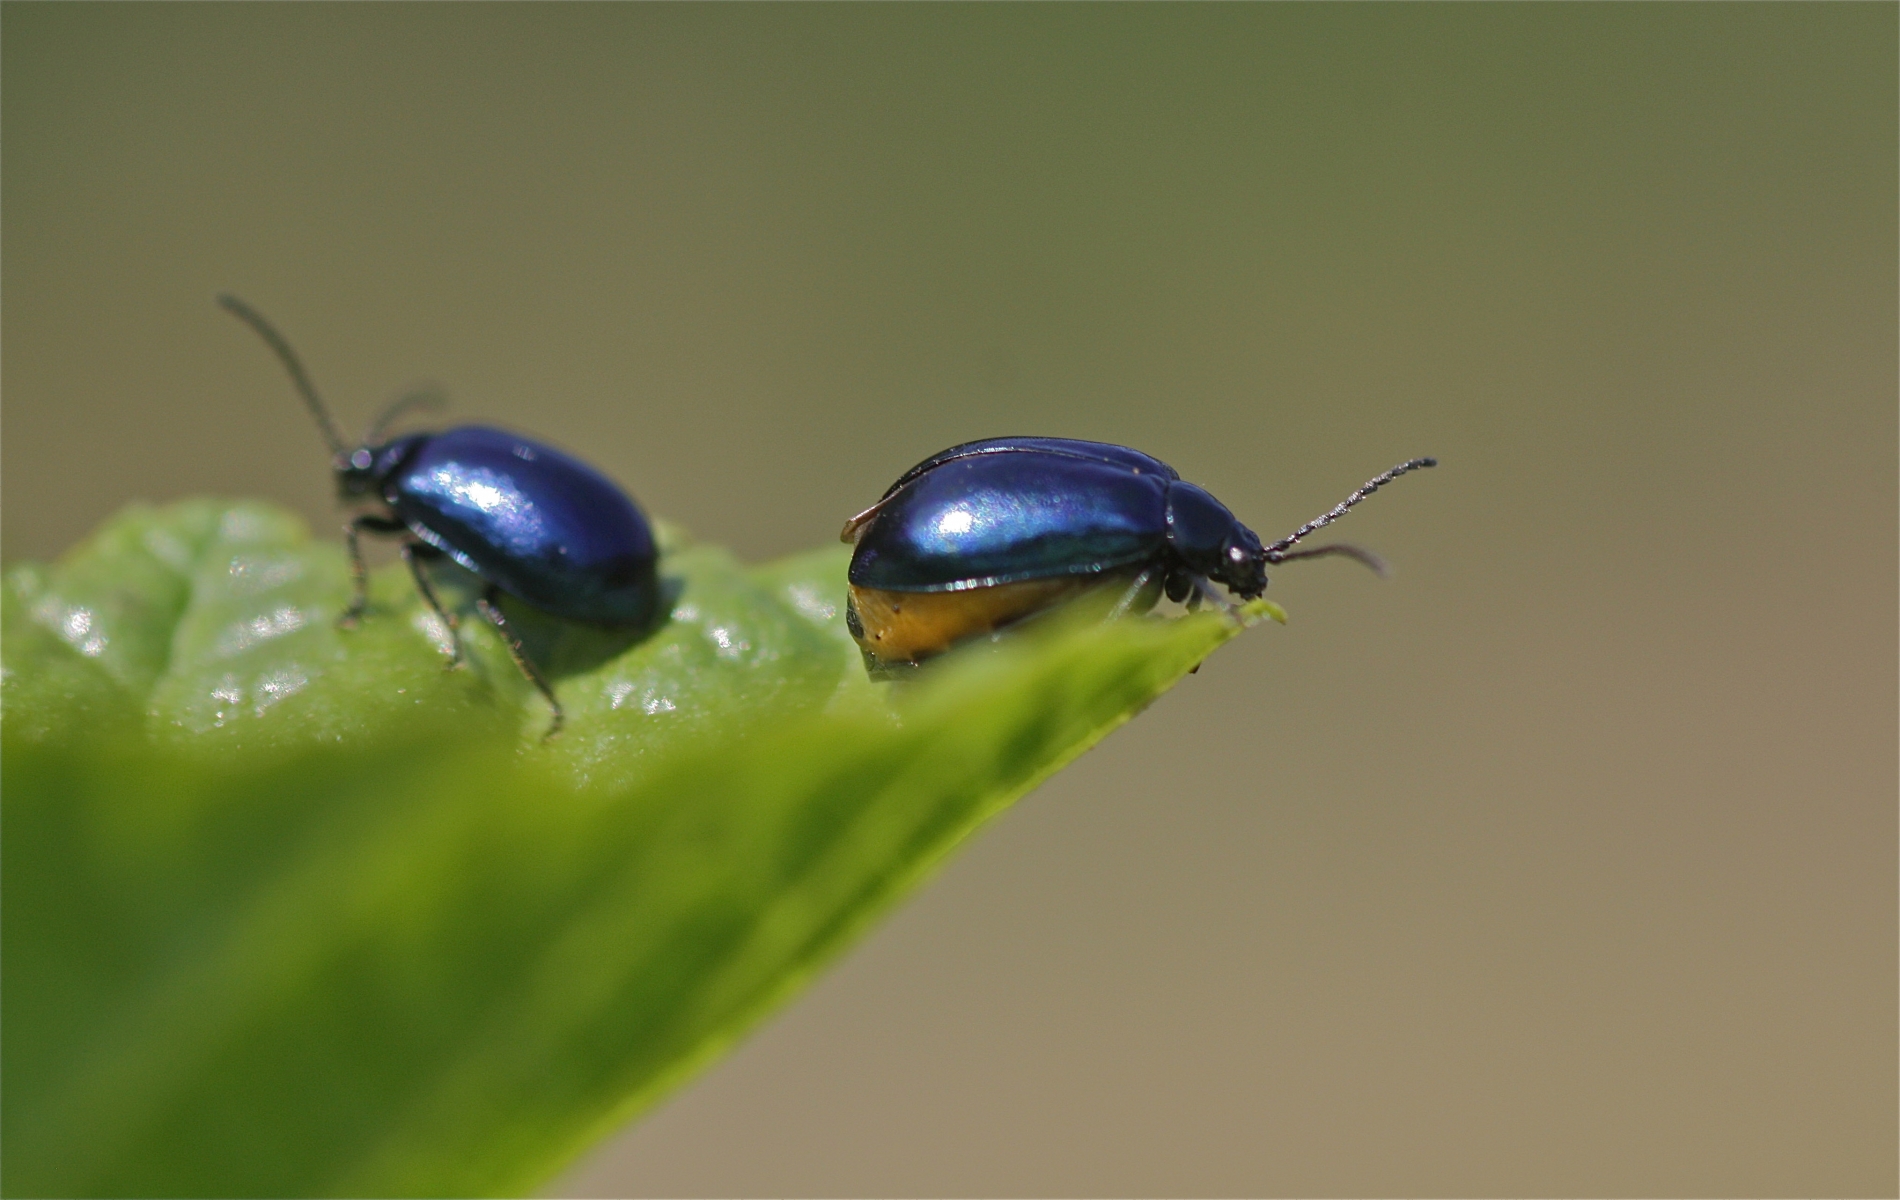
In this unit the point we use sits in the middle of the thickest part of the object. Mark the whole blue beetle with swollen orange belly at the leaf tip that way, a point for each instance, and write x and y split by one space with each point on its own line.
989 533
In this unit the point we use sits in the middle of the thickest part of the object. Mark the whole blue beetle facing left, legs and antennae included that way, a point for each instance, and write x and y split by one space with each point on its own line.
527 519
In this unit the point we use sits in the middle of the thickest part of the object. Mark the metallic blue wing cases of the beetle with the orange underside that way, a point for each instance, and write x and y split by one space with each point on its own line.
993 519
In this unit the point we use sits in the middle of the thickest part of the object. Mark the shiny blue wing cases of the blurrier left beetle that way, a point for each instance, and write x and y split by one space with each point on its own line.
537 523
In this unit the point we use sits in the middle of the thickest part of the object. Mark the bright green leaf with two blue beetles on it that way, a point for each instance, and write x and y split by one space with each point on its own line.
295 910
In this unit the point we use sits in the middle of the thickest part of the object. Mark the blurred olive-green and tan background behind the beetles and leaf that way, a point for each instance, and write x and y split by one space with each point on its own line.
1561 865
